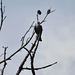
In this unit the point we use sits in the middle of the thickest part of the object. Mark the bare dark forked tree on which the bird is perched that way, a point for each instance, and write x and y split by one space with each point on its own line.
30 52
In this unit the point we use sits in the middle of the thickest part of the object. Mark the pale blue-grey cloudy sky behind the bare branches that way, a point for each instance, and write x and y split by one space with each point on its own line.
58 35
